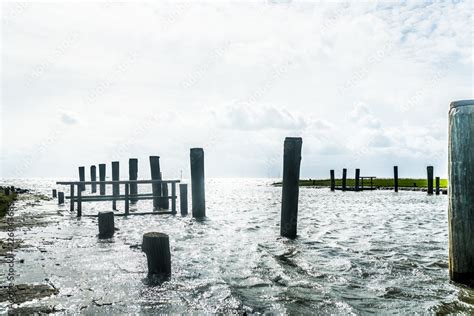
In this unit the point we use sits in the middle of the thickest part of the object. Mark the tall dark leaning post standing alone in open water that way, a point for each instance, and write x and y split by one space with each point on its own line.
290 186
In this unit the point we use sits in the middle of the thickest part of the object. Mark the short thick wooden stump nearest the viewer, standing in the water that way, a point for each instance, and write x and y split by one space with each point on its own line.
157 249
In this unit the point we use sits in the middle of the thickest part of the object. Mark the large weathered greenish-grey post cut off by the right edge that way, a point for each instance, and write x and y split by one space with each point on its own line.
460 192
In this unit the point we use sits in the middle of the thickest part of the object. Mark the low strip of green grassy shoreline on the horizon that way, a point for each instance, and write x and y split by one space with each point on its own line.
377 183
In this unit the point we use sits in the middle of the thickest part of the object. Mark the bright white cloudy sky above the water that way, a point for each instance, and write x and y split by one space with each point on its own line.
365 84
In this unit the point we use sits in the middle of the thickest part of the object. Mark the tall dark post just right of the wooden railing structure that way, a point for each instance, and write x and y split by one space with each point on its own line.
198 195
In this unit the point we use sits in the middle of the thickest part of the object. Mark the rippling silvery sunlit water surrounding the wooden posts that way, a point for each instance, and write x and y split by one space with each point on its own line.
356 253
